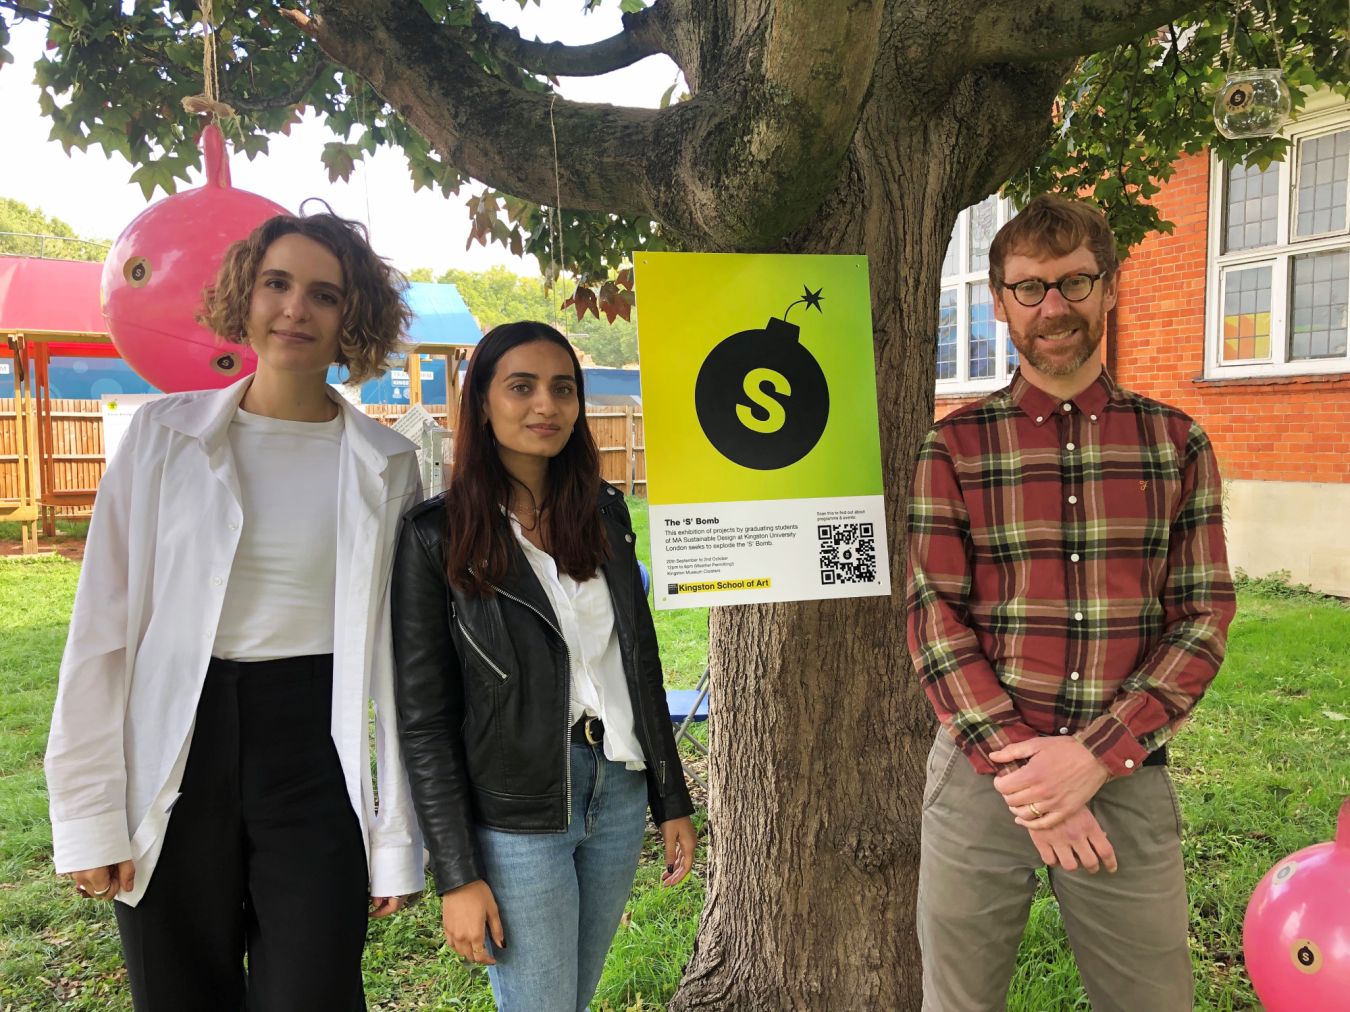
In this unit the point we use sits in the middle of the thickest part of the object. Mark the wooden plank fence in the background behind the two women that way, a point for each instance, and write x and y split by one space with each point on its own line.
79 453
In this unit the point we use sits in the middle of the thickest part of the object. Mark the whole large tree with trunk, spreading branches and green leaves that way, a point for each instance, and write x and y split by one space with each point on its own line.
812 128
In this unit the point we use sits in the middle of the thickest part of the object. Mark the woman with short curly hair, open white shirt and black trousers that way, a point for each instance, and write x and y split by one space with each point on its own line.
210 754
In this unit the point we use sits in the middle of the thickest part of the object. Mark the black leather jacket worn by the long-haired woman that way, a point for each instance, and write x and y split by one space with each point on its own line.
484 694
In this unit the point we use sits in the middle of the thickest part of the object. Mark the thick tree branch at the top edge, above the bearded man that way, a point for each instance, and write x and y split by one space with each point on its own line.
1016 32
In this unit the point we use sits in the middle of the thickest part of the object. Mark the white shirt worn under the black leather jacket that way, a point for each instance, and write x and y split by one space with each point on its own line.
599 685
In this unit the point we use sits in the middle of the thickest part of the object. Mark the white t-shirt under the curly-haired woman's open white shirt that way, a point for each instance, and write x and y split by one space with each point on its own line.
280 597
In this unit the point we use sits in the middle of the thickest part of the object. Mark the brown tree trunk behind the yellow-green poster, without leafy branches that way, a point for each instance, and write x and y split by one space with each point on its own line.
816 789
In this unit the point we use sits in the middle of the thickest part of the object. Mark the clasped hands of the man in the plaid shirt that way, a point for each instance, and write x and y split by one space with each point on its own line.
1048 797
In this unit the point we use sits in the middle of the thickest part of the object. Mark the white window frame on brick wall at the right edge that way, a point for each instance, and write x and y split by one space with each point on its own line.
1325 114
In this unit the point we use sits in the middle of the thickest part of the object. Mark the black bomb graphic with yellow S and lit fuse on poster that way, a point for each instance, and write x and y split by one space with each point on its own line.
762 399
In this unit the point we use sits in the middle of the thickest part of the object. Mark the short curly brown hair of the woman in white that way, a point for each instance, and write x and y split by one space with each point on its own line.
375 316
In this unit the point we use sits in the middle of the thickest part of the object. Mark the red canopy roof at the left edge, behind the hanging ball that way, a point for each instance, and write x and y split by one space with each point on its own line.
41 296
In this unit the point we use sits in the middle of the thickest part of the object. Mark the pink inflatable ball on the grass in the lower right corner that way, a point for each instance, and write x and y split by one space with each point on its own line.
1297 934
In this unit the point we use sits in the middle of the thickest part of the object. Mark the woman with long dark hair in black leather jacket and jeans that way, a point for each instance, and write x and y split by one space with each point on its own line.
530 686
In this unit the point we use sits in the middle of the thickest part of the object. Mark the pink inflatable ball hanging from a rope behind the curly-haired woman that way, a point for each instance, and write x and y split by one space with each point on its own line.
156 272
